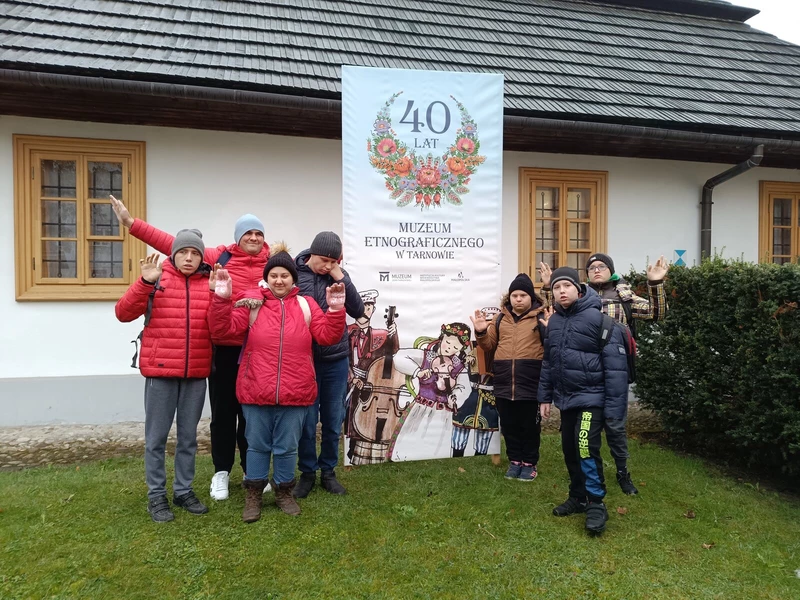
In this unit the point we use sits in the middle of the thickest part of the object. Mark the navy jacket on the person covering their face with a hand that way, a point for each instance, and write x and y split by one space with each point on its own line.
314 285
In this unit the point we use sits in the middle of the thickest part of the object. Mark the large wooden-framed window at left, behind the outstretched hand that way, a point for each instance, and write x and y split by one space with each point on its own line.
69 245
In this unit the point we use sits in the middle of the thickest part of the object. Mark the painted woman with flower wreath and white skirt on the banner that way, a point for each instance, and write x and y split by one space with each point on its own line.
438 376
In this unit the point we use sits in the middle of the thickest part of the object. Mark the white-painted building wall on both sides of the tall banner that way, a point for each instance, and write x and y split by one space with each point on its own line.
208 179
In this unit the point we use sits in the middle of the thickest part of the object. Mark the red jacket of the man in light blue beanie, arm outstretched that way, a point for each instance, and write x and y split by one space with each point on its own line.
245 270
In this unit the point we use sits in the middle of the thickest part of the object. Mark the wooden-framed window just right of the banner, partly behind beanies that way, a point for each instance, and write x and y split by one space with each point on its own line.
562 218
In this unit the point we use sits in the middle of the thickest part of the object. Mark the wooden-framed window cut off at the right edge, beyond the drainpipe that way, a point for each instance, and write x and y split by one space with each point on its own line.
779 222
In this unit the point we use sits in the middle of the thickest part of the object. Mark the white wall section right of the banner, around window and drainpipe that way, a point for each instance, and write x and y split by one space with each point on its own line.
653 206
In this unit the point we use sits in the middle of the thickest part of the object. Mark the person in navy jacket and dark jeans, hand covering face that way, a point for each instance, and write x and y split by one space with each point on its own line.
317 269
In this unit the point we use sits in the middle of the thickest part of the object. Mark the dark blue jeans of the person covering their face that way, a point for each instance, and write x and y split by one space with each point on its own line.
328 408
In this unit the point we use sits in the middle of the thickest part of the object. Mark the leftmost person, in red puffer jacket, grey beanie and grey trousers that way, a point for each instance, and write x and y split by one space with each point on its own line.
175 359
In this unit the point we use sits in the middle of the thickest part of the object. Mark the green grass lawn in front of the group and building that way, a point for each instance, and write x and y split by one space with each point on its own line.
438 529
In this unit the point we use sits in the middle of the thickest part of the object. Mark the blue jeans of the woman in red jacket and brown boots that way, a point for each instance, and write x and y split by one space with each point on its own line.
272 431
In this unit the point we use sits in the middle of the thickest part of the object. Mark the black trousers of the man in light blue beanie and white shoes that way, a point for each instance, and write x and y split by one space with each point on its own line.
227 420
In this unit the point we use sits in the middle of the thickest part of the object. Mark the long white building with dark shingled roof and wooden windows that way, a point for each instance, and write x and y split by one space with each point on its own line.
198 112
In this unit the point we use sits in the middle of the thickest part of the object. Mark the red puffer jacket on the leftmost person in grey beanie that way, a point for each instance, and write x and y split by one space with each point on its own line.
177 341
